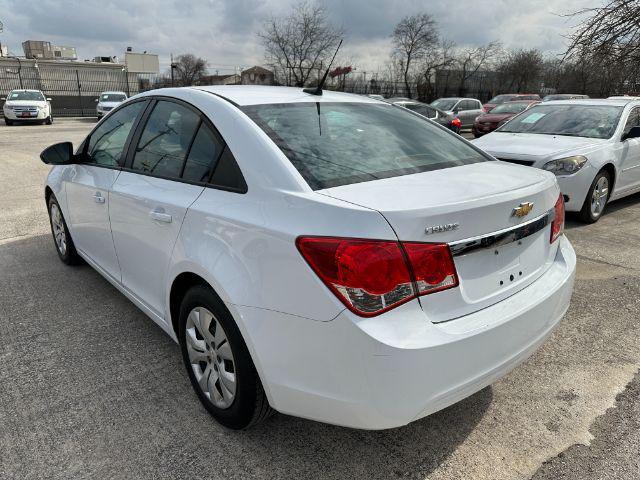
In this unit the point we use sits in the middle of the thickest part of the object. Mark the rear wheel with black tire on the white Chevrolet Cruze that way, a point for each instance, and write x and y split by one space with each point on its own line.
236 398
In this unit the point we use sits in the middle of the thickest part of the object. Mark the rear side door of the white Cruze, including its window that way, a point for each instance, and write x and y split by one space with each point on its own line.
168 165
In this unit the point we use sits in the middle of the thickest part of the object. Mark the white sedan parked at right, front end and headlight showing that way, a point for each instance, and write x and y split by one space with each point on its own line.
593 147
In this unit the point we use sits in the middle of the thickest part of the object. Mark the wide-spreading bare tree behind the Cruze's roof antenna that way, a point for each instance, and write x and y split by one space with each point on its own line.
298 44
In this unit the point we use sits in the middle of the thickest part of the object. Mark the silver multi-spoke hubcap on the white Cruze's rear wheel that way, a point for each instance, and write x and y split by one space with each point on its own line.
211 357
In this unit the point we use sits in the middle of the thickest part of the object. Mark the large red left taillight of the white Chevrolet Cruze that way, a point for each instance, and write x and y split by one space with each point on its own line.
373 276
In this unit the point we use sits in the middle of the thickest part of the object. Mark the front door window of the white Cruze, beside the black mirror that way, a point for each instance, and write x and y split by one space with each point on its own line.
107 142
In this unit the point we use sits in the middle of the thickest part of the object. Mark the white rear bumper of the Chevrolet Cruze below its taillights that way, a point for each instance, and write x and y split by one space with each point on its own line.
389 370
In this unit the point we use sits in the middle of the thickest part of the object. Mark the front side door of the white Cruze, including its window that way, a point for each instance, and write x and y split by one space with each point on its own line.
90 182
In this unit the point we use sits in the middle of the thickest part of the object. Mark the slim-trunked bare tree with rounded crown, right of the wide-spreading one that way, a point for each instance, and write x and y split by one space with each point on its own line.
413 37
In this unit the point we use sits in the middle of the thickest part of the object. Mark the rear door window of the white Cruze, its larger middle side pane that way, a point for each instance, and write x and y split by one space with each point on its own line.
165 141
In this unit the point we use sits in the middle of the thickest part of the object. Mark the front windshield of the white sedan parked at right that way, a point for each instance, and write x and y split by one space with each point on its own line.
590 121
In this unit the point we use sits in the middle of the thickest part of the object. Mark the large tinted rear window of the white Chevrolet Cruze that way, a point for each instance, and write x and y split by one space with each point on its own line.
334 144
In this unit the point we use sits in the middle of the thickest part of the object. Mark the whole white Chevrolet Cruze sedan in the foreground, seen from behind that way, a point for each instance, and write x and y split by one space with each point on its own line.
328 256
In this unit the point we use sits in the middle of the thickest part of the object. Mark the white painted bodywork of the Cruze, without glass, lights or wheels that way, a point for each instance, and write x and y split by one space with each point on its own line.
315 358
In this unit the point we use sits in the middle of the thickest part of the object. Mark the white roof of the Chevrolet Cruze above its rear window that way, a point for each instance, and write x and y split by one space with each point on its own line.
257 94
